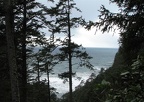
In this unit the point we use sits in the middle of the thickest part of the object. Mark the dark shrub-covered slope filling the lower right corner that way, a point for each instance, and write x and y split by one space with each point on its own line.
119 83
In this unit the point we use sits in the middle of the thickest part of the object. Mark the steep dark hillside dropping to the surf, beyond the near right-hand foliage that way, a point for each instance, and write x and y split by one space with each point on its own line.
98 89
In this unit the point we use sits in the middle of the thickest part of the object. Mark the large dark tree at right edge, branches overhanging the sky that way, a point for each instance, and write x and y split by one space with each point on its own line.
128 21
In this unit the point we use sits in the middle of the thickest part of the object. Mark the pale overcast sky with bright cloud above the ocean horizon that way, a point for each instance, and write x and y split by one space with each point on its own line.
90 12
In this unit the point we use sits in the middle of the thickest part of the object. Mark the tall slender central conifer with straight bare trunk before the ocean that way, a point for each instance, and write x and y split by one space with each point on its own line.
63 24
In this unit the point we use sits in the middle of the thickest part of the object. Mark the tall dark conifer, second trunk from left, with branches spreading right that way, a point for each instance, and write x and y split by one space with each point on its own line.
29 19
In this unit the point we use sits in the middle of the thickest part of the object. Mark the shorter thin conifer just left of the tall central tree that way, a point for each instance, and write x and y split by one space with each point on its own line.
44 61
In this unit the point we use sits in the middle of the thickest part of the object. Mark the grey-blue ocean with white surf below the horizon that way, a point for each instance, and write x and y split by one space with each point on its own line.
102 58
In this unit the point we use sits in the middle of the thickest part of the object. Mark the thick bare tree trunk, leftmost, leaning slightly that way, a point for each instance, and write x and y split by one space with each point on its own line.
9 20
